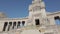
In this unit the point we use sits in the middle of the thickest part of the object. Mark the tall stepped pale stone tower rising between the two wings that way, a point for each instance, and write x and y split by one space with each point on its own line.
37 12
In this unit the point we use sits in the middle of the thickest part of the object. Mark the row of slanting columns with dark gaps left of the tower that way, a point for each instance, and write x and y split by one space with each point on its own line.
12 25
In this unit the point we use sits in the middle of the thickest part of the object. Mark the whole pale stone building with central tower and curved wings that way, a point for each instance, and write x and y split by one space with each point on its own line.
38 22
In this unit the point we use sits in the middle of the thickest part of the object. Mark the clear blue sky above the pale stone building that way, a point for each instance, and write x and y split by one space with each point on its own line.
19 8
